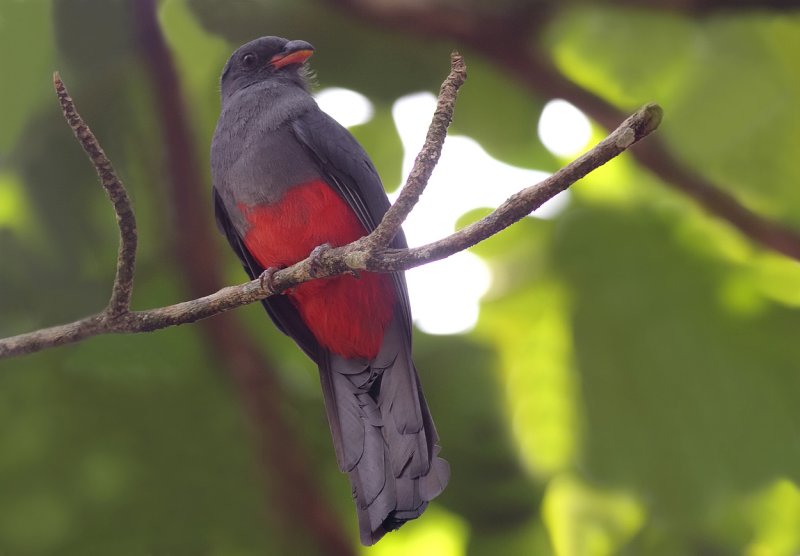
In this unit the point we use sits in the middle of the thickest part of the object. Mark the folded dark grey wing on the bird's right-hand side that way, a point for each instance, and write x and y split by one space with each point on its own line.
348 169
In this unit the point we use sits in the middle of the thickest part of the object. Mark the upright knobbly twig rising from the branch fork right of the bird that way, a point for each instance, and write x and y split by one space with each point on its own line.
426 160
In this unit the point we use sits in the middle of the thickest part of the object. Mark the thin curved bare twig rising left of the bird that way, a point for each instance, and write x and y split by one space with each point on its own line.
122 289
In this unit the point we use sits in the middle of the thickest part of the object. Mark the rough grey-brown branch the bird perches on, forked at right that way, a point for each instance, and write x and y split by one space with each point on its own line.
361 254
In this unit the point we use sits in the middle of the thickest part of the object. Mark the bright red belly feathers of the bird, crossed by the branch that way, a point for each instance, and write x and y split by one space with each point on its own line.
347 315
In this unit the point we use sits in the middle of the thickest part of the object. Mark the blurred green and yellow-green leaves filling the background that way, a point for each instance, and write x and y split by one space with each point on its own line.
631 387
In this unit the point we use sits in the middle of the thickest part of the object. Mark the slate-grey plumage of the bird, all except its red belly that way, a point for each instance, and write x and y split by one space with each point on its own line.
272 136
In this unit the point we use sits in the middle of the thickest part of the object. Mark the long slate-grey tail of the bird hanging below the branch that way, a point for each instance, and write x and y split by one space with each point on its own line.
384 436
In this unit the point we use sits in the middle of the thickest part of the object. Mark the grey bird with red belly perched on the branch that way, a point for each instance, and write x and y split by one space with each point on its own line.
288 180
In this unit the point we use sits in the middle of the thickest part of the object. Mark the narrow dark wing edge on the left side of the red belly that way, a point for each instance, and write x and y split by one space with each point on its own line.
279 307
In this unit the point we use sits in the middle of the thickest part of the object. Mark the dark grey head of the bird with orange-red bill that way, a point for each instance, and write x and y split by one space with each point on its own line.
268 59
